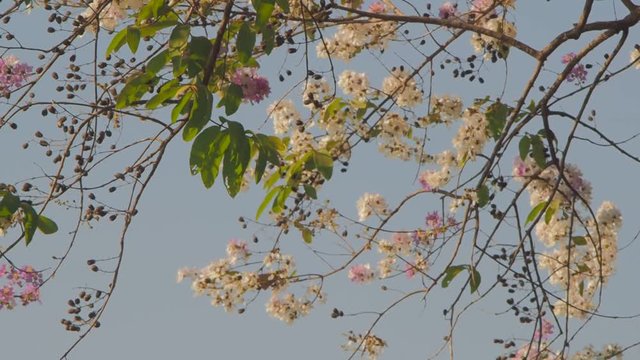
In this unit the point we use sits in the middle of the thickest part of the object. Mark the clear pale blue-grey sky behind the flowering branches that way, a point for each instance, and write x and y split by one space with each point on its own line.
182 224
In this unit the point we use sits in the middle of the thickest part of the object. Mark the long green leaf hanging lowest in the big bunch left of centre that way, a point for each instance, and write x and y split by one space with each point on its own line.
236 158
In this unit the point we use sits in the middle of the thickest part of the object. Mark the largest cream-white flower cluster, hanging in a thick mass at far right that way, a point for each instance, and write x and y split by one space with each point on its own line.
580 265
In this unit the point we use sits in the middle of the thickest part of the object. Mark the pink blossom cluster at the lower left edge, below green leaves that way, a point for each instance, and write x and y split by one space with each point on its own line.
19 283
